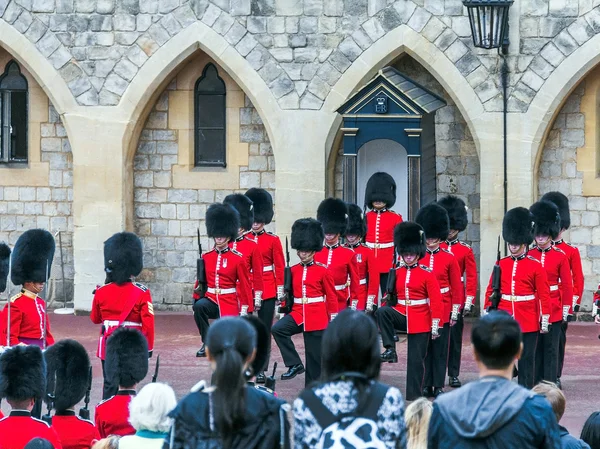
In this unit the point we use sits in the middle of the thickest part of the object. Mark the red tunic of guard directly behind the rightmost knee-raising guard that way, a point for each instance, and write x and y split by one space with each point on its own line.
446 270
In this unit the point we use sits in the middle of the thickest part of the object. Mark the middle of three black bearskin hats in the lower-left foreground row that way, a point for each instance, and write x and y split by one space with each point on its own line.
68 371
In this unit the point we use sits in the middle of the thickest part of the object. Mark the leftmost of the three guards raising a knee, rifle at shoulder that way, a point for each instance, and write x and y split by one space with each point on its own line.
227 291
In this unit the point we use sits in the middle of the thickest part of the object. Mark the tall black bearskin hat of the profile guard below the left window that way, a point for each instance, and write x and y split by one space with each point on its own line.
32 257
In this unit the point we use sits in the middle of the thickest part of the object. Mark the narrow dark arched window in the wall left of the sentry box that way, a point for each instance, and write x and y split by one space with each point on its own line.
209 123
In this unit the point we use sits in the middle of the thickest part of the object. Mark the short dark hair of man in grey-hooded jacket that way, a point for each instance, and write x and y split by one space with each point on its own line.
496 338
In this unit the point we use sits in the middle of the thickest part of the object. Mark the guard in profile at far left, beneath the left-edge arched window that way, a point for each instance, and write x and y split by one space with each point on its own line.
31 261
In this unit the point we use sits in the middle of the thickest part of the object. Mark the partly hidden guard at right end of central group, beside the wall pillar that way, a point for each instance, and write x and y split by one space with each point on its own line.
463 253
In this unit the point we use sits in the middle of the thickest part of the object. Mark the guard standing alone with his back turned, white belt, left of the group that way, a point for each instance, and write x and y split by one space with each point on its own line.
122 302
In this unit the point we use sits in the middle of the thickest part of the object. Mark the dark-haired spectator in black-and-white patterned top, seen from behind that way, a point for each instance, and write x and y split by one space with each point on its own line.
351 367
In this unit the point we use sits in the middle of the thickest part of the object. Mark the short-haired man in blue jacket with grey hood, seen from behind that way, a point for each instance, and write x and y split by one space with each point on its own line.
493 411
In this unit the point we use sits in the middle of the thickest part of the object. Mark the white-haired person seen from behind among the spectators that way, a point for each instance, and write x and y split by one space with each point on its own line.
148 415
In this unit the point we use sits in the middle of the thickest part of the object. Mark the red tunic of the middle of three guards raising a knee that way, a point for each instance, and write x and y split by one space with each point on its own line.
315 298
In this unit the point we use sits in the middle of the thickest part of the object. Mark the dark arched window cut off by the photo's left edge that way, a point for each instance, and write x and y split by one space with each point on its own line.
13 114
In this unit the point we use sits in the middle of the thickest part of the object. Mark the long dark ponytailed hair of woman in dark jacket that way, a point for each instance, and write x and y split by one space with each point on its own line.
231 343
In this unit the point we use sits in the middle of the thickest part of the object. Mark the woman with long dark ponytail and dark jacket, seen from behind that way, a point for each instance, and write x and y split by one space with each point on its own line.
230 414
